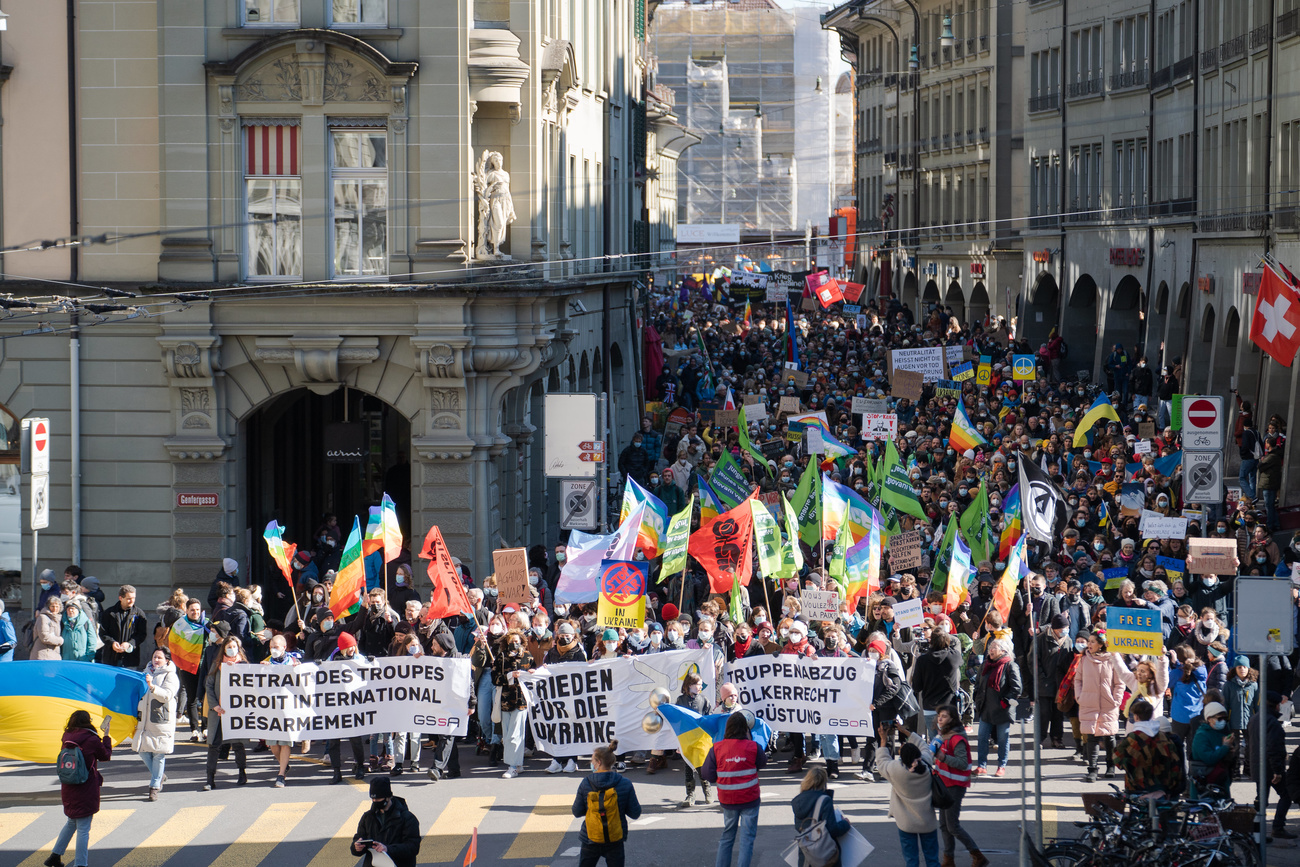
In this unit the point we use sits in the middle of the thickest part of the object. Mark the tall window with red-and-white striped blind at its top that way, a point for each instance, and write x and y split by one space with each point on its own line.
274 194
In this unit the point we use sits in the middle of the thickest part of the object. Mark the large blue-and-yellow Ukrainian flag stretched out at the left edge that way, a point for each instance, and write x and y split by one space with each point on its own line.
37 697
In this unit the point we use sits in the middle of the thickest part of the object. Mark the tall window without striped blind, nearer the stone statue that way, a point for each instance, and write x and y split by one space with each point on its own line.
361 206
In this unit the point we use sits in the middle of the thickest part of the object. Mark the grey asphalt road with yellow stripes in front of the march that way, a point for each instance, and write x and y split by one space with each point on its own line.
525 821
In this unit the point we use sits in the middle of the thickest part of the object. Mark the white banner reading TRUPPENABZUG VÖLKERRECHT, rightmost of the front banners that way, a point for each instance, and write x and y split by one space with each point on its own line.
809 696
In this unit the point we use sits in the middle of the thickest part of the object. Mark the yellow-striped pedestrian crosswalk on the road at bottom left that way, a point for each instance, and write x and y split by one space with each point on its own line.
254 830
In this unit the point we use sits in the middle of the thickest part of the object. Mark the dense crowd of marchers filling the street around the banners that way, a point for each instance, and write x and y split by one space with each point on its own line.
1177 722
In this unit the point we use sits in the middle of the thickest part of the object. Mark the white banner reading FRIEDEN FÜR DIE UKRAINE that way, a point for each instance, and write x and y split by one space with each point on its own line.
575 708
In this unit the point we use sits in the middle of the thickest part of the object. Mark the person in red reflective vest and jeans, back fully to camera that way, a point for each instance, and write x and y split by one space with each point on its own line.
734 765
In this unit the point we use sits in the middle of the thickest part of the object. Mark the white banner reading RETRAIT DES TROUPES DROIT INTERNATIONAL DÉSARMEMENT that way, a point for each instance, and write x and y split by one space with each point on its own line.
346 699
